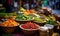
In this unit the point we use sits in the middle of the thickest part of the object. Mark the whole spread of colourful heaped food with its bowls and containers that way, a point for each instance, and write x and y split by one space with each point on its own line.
29 23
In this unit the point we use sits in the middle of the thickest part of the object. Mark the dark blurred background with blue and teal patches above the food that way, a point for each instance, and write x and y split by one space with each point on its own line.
14 5
